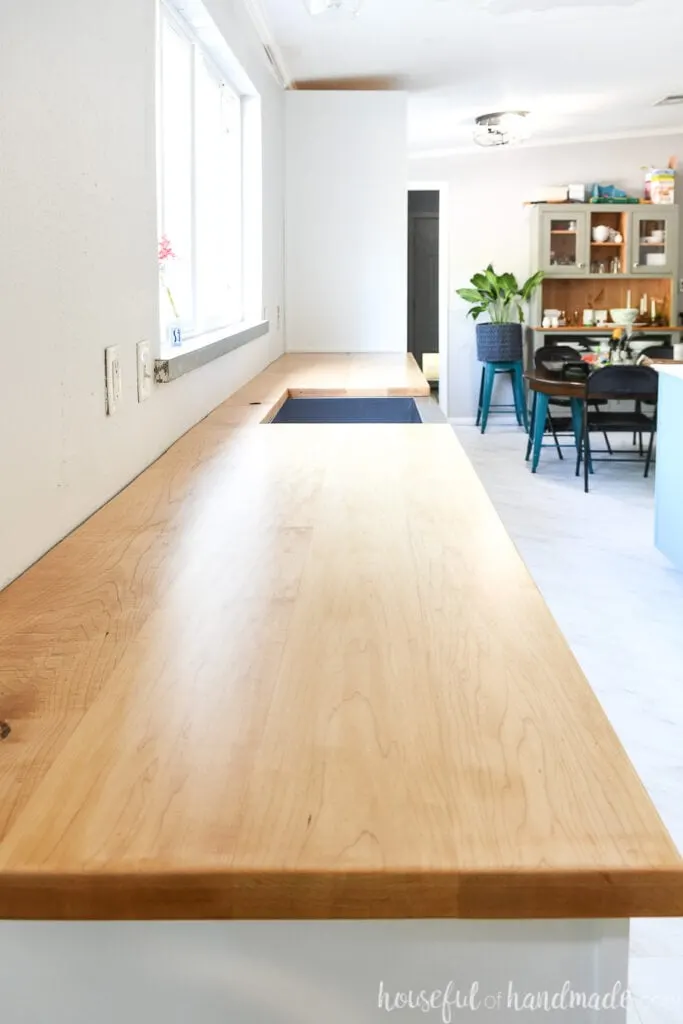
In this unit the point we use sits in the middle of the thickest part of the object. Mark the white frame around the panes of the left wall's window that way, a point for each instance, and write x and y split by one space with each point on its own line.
198 52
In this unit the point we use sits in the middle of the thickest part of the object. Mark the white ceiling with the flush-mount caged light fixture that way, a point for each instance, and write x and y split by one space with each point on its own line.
583 68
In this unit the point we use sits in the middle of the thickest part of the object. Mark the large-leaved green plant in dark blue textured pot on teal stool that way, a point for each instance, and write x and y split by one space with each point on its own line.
500 296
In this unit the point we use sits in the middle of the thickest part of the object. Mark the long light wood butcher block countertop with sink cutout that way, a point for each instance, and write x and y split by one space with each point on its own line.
303 672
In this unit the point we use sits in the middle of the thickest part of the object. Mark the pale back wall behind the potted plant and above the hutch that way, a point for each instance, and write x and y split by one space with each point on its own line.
489 223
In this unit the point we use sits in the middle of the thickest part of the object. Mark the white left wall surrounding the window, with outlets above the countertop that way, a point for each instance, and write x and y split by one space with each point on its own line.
78 260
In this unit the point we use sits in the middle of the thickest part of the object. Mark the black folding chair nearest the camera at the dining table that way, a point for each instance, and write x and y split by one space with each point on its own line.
638 383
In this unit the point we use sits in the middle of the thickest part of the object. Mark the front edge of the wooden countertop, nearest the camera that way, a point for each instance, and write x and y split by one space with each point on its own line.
504 894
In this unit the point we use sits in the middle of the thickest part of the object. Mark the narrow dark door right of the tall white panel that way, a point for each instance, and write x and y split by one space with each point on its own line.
423 274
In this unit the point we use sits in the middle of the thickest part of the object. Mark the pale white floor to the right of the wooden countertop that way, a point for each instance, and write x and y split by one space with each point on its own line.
620 605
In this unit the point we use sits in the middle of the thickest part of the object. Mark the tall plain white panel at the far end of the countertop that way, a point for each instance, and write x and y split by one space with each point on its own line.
347 222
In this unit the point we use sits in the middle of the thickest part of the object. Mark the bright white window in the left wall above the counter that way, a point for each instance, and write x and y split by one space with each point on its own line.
200 186
